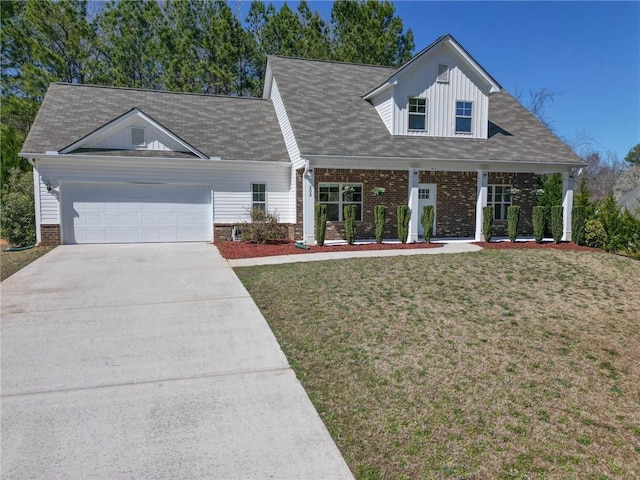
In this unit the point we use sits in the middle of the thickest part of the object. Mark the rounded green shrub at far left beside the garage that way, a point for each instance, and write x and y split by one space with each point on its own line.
17 209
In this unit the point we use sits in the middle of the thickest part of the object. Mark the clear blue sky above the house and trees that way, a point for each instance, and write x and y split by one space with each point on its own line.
587 53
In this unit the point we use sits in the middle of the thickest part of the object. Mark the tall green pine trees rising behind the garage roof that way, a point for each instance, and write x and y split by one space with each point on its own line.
199 46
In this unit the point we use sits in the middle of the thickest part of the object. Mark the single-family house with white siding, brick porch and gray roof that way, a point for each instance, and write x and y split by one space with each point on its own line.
123 165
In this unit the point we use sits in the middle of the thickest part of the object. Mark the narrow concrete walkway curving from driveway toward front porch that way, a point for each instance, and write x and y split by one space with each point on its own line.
454 247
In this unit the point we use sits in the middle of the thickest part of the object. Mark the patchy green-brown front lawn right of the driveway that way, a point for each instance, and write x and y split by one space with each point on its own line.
497 364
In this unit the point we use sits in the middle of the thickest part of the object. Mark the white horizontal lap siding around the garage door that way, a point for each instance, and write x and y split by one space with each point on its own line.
231 184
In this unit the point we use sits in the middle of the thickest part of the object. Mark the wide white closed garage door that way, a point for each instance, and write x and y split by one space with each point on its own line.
130 213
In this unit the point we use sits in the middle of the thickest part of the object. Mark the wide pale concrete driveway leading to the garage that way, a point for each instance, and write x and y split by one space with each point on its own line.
149 361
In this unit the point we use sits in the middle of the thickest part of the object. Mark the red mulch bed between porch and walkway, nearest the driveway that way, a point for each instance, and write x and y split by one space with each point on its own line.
233 250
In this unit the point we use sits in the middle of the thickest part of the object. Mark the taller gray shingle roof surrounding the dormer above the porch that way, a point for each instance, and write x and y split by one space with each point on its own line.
329 117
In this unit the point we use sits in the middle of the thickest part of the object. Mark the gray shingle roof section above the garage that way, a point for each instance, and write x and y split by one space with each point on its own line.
233 128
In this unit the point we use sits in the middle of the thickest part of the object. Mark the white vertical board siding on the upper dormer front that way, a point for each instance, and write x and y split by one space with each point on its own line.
420 81
